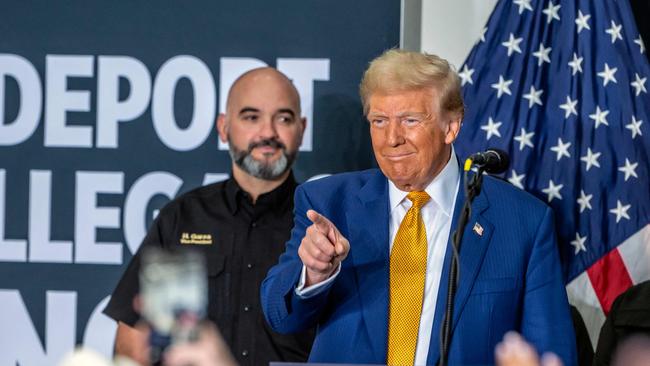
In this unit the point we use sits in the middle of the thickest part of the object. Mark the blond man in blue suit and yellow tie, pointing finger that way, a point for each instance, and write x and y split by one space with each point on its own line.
344 270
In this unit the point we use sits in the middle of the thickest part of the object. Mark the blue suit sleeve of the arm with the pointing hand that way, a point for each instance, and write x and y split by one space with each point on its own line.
283 309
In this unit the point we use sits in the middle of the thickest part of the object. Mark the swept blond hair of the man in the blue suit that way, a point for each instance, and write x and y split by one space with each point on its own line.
399 70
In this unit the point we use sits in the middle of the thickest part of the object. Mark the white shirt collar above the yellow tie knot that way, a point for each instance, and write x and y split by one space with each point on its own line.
441 189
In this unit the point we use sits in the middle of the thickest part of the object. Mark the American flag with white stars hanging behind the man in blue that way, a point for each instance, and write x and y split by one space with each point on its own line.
563 87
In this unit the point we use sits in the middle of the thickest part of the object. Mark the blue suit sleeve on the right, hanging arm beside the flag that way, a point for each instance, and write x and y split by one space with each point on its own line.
546 319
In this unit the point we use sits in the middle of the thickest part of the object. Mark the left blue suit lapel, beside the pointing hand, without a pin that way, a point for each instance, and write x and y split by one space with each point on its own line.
367 220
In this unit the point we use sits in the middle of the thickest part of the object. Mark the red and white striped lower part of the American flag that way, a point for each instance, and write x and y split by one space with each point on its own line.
594 291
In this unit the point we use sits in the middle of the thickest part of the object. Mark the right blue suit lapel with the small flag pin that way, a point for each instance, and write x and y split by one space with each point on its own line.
476 239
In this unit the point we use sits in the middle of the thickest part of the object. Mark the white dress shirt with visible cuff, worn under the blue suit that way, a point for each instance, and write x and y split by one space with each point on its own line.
437 215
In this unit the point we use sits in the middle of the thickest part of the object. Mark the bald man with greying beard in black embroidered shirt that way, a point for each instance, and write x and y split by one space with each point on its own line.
243 224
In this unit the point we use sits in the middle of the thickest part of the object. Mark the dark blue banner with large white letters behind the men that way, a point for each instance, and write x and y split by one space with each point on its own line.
107 112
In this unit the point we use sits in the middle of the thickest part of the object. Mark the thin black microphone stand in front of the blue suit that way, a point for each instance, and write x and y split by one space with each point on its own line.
472 189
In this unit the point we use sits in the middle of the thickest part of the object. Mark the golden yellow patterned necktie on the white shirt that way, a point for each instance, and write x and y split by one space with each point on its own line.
408 267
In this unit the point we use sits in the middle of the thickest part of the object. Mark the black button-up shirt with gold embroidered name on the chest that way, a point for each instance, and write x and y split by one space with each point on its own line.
245 240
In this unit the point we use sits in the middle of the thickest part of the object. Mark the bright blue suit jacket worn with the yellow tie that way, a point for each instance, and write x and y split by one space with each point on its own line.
510 277
